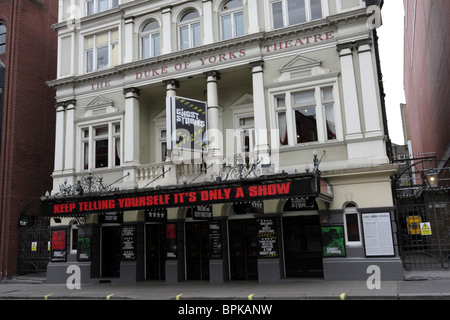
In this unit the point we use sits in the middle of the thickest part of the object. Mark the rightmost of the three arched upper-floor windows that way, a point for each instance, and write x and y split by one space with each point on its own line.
232 19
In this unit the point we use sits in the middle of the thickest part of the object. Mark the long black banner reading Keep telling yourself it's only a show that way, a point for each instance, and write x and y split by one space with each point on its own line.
195 196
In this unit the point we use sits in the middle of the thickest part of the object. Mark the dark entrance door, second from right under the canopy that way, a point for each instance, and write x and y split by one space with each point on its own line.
243 249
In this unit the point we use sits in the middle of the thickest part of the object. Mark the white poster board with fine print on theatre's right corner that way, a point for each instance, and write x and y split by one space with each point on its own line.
378 239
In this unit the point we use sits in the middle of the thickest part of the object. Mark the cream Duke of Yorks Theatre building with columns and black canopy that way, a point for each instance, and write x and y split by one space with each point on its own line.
220 141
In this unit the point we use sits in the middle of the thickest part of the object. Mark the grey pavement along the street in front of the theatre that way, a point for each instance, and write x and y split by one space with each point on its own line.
432 285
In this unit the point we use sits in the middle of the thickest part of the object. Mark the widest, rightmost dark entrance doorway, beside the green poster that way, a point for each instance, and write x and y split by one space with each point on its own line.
303 246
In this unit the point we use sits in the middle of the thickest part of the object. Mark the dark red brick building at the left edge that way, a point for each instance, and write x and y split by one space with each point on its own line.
28 47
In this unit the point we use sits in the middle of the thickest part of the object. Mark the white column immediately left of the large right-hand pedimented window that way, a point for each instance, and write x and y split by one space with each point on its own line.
259 112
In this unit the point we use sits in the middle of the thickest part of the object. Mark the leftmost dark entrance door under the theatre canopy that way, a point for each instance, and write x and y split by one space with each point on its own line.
111 251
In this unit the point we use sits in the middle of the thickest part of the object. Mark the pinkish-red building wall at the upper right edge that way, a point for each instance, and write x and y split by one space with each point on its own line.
427 75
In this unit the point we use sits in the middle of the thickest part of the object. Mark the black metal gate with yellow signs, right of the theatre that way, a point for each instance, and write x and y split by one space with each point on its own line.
422 190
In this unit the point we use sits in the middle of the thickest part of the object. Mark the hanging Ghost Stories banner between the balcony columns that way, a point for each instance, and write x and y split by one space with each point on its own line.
186 124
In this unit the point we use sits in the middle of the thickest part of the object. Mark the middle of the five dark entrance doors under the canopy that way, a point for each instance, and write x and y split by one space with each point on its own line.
197 251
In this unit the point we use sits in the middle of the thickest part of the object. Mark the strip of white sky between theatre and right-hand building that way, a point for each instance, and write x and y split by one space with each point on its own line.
391 56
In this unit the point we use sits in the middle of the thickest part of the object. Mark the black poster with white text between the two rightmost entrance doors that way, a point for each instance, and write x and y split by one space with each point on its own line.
267 238
